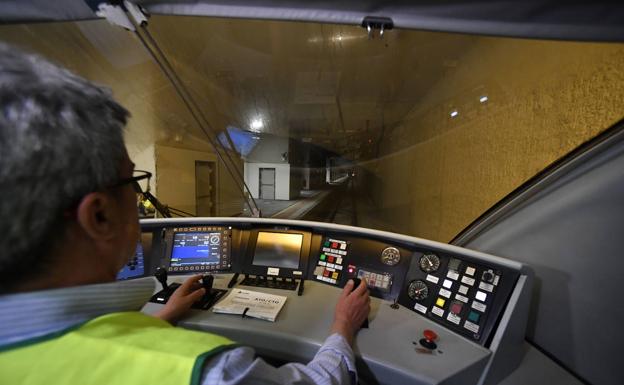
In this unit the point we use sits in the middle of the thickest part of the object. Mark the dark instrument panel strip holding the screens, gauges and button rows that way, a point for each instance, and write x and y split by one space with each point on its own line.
456 291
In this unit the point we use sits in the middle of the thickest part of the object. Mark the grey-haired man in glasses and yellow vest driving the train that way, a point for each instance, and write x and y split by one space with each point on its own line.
68 220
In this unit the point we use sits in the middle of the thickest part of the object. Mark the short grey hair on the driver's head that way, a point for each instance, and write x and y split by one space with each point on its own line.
61 137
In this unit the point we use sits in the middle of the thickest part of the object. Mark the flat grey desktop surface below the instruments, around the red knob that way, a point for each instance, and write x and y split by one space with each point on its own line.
385 351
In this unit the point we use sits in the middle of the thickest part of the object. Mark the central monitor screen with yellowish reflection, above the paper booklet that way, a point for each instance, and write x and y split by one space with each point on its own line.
278 250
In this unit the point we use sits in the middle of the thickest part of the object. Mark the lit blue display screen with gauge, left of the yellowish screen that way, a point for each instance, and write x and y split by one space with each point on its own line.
196 249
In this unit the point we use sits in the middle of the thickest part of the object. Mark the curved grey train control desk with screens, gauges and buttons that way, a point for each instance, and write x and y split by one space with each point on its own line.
440 313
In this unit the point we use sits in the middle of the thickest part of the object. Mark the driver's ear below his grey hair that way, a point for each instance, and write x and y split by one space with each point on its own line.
95 215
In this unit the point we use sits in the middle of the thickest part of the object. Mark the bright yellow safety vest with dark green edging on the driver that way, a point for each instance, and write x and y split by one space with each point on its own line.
119 348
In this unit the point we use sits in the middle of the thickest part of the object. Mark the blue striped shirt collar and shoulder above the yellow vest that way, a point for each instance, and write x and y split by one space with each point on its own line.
28 315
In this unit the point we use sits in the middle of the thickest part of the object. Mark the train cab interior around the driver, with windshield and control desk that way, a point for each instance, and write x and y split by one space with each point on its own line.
466 160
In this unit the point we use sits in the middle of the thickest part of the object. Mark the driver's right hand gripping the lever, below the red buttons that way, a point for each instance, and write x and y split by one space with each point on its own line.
351 310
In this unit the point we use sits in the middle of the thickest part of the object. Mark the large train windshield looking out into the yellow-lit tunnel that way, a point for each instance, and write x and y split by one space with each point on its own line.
417 133
